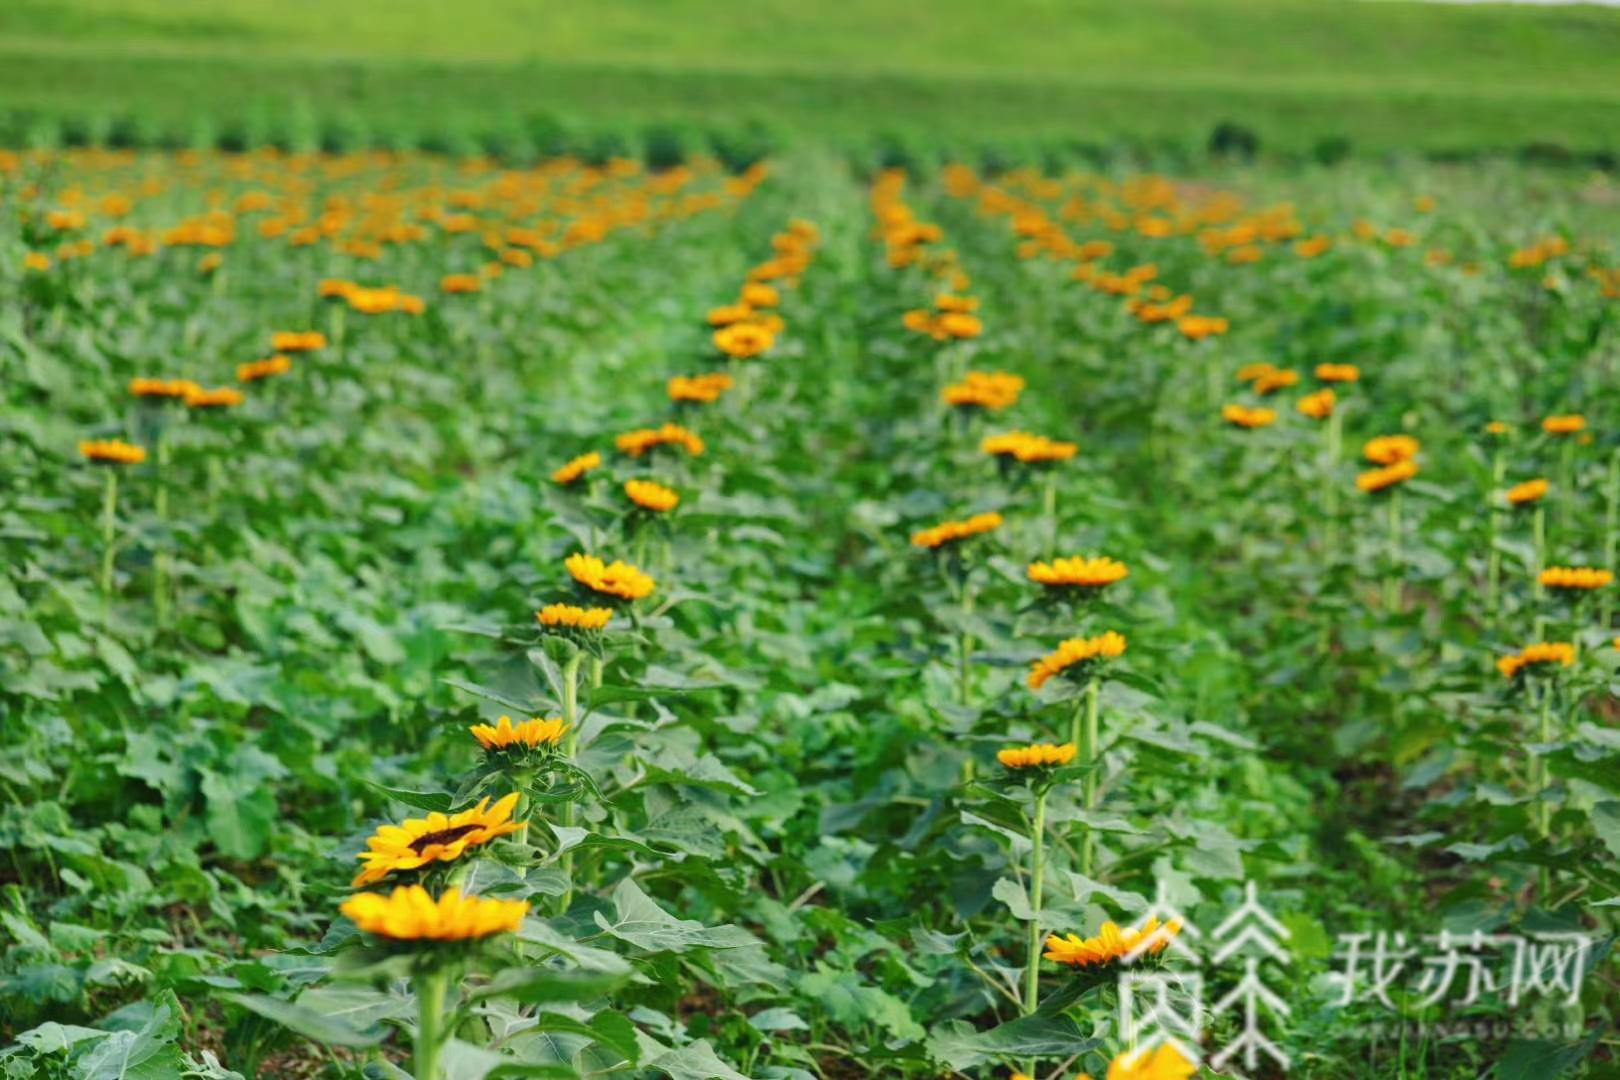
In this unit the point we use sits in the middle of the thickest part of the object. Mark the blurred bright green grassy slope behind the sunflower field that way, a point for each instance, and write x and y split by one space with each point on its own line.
1383 75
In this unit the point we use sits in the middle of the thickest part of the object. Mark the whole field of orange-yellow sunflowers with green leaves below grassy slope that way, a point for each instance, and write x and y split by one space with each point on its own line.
806 619
